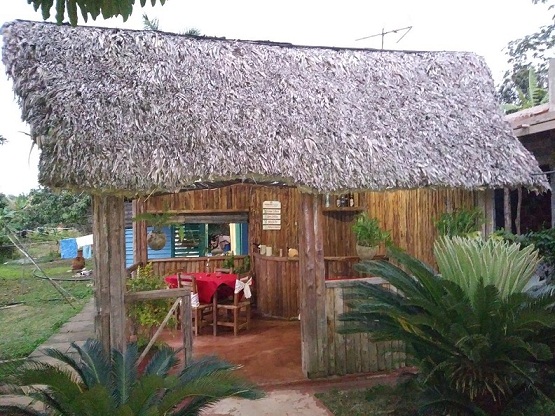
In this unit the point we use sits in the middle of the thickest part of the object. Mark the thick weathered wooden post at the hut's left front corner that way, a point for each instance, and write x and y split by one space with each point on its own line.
109 270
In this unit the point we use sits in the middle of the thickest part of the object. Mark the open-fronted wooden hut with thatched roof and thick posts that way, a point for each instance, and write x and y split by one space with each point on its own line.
207 126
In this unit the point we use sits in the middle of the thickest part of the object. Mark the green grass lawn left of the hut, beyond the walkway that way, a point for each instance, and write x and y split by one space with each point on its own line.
40 309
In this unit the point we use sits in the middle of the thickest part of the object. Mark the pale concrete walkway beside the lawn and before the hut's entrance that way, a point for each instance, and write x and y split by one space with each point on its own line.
283 402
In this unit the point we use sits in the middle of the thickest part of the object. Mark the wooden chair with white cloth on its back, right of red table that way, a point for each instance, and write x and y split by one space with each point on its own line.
229 311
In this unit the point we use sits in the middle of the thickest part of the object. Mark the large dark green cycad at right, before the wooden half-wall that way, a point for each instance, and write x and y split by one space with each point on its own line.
476 351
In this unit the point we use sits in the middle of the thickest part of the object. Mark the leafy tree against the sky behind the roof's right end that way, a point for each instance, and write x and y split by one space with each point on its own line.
525 54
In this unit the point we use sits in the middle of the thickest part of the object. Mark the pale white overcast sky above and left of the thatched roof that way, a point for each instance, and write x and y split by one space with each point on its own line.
481 26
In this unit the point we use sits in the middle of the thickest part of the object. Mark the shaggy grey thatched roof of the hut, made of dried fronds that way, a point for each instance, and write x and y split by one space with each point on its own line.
138 111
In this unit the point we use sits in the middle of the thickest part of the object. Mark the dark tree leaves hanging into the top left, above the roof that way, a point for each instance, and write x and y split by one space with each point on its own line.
92 8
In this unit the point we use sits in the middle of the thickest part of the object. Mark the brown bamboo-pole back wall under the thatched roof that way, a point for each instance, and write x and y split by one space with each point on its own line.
408 215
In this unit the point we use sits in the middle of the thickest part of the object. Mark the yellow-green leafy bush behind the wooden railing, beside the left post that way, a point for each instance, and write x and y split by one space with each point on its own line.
148 315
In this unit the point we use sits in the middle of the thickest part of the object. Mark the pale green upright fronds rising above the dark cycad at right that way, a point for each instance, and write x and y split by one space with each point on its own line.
466 261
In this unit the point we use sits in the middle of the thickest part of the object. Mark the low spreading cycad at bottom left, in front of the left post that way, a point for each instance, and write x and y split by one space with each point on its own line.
96 384
